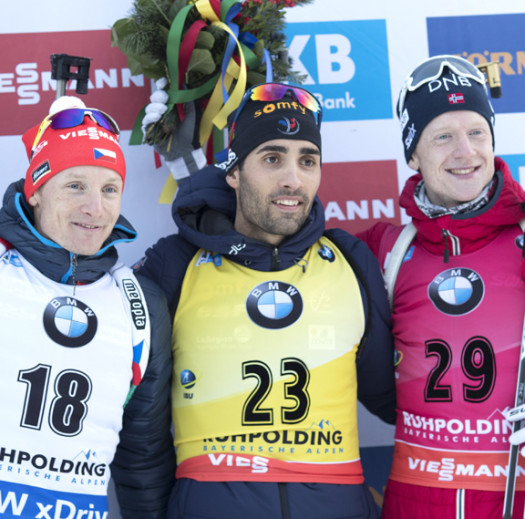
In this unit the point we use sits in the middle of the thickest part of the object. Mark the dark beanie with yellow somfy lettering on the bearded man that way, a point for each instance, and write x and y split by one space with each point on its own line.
261 121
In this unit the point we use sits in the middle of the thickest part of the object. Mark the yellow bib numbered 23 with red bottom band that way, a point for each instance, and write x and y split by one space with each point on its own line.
264 382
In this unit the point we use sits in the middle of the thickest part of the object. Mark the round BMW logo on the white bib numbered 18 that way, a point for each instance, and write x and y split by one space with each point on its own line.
69 322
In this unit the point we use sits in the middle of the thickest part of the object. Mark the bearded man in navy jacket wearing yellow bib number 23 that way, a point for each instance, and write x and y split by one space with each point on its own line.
270 317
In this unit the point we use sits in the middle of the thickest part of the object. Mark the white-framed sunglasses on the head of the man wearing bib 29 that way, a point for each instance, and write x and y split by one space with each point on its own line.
432 69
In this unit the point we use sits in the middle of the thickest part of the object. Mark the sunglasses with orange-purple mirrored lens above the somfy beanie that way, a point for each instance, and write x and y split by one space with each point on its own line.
276 92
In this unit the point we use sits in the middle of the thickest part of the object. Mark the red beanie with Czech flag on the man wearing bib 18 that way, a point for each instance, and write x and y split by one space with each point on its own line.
87 144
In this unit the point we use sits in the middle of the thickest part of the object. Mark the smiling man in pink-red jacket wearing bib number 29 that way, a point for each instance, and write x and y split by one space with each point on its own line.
458 302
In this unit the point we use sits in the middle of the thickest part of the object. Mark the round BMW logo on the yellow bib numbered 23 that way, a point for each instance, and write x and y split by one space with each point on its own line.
274 305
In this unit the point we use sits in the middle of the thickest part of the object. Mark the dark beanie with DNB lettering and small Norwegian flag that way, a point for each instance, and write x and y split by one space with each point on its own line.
450 92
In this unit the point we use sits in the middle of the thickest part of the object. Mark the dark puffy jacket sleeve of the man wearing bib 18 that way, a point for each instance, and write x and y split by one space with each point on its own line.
144 465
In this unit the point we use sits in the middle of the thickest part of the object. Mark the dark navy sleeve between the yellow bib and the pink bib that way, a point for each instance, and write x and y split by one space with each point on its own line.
375 361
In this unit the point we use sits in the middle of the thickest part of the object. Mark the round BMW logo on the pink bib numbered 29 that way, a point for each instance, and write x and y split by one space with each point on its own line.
456 291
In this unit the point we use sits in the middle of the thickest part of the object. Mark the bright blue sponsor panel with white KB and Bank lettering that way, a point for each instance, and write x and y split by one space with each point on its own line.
346 67
